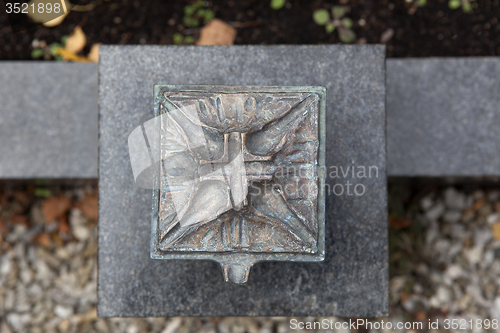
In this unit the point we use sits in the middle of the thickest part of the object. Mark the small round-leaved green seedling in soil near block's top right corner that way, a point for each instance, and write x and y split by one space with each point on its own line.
337 21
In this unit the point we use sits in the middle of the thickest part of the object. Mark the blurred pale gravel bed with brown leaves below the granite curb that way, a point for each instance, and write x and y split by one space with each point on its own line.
445 264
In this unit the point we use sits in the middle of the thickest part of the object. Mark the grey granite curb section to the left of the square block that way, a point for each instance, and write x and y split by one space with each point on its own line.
48 120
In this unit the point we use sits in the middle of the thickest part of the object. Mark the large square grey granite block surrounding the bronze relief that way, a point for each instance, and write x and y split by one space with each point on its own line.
352 281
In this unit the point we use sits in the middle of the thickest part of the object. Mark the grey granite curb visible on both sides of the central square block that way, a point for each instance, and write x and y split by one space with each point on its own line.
442 118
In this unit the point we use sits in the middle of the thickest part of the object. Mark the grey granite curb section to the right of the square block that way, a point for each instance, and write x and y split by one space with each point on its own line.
443 117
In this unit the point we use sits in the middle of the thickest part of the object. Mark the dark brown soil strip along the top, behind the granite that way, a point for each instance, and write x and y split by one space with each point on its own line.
432 30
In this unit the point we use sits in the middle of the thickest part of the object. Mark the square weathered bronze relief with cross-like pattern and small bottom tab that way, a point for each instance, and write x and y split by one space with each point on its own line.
240 177
